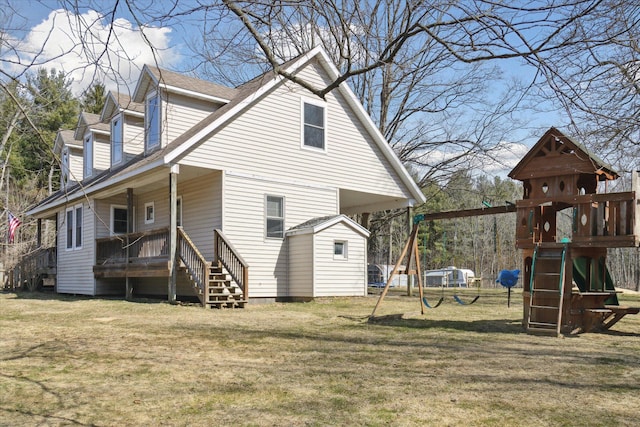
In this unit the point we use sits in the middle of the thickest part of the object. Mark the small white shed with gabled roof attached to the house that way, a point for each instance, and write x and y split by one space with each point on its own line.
327 257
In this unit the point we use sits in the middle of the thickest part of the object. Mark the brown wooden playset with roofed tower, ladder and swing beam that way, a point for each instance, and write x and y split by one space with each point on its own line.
566 285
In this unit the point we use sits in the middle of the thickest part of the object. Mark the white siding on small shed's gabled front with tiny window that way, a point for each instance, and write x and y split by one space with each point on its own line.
340 277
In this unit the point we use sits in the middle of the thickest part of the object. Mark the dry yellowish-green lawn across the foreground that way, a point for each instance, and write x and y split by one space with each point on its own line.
81 361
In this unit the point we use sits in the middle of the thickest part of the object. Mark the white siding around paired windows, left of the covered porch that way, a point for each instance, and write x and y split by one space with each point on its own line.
75 267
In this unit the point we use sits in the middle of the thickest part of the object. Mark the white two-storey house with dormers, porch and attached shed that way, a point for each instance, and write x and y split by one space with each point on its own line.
205 185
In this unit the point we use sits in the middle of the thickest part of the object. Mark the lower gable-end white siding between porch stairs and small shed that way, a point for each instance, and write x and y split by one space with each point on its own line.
244 225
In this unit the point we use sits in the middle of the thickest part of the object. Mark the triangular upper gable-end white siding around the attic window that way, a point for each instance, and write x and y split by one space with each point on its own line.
353 162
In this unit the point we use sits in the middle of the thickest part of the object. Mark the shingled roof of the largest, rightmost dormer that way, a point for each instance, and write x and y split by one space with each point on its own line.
179 83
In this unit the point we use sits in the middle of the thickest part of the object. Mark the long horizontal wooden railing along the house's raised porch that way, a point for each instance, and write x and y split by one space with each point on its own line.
147 244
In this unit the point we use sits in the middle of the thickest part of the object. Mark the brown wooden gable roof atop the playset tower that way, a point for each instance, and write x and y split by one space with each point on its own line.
556 154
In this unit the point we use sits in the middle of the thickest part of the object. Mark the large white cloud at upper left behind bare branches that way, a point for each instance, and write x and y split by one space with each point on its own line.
88 48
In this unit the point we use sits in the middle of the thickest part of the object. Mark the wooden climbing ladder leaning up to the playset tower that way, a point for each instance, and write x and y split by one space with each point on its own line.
546 290
